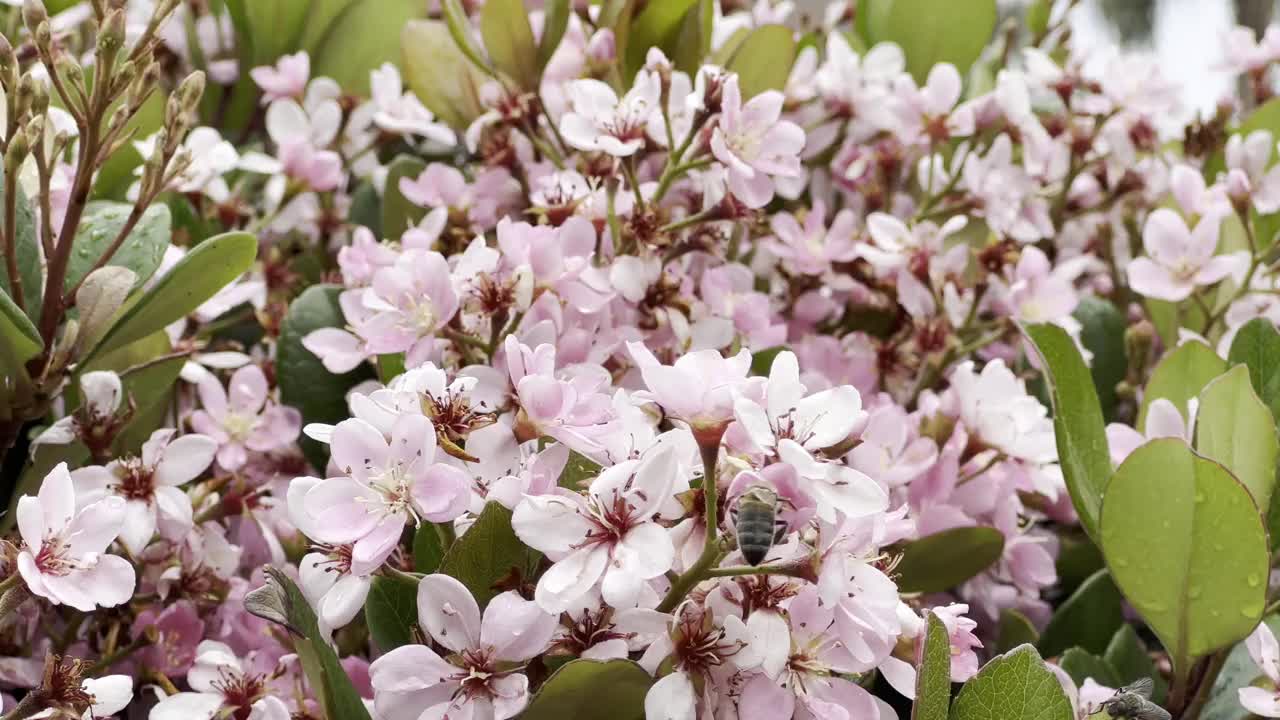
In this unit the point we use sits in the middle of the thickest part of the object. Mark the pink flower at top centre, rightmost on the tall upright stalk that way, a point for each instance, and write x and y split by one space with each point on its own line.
755 143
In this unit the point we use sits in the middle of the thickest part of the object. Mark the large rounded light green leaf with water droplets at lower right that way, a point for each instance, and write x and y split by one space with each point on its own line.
1185 543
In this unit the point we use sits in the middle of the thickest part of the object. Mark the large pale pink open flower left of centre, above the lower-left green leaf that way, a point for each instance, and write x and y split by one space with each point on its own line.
387 485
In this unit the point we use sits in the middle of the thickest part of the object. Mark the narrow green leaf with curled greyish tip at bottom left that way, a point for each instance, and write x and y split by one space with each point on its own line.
282 603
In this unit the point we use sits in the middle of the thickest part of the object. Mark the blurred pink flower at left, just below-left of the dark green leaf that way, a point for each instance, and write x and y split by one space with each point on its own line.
241 418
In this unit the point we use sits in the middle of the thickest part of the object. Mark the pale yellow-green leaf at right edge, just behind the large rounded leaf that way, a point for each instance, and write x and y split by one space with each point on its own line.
1238 431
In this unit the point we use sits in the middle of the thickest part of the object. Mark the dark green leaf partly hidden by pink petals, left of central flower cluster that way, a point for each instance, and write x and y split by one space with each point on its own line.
305 384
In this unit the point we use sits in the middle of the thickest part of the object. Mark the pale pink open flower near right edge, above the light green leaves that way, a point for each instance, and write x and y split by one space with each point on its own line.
1182 259
